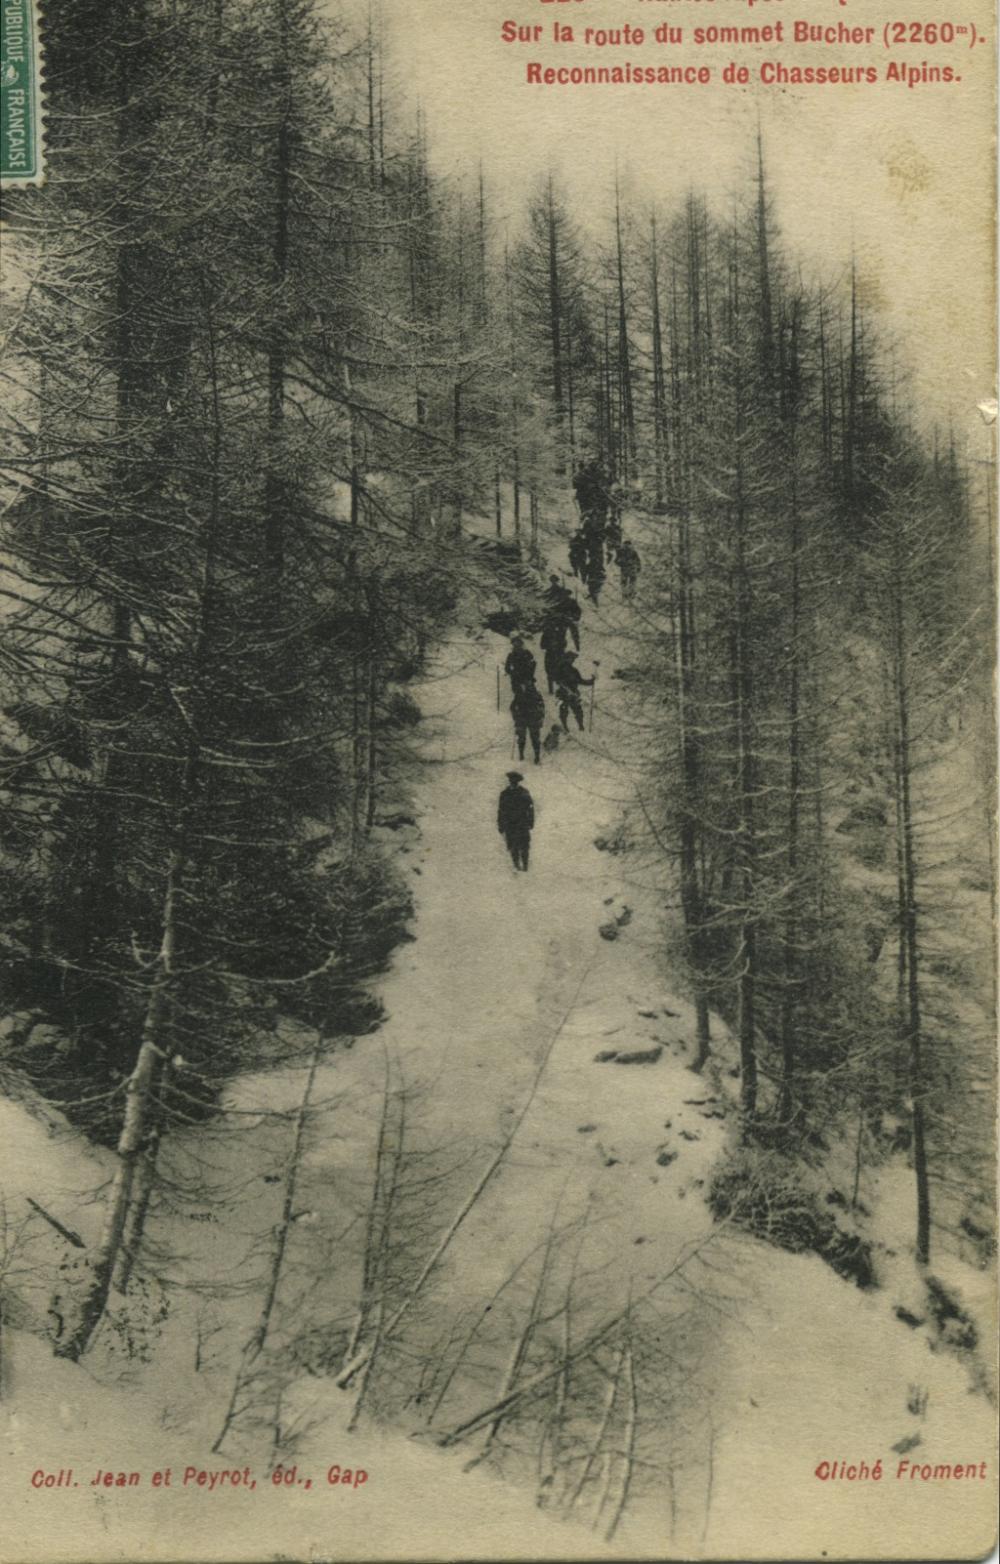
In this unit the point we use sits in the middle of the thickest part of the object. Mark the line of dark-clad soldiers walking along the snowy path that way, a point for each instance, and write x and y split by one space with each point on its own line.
599 539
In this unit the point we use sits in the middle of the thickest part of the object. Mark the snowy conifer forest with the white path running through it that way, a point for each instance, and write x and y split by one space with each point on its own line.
322 1116
